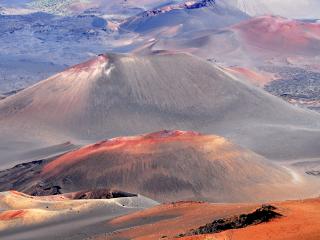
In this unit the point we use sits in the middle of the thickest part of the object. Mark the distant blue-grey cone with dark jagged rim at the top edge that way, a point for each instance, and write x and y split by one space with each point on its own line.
185 17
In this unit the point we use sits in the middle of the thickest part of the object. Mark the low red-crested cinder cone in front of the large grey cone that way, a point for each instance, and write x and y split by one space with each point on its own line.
165 166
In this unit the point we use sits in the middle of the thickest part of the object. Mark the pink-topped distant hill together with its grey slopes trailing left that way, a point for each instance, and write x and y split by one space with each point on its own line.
258 41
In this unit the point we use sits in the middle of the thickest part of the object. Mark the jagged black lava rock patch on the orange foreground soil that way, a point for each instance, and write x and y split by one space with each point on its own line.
264 214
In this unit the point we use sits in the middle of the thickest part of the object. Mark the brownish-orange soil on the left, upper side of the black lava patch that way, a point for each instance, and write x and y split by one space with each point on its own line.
171 219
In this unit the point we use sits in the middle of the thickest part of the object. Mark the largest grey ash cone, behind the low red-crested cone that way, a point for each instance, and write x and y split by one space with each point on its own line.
121 95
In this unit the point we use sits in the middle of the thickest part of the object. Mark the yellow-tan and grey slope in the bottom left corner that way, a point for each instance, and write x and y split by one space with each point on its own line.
55 217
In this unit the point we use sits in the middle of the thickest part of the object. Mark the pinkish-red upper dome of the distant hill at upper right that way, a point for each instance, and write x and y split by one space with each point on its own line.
281 34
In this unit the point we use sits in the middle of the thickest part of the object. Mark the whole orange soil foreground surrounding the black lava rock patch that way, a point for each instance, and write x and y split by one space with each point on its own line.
300 221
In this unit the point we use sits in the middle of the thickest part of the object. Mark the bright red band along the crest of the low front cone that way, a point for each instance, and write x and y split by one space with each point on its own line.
117 144
